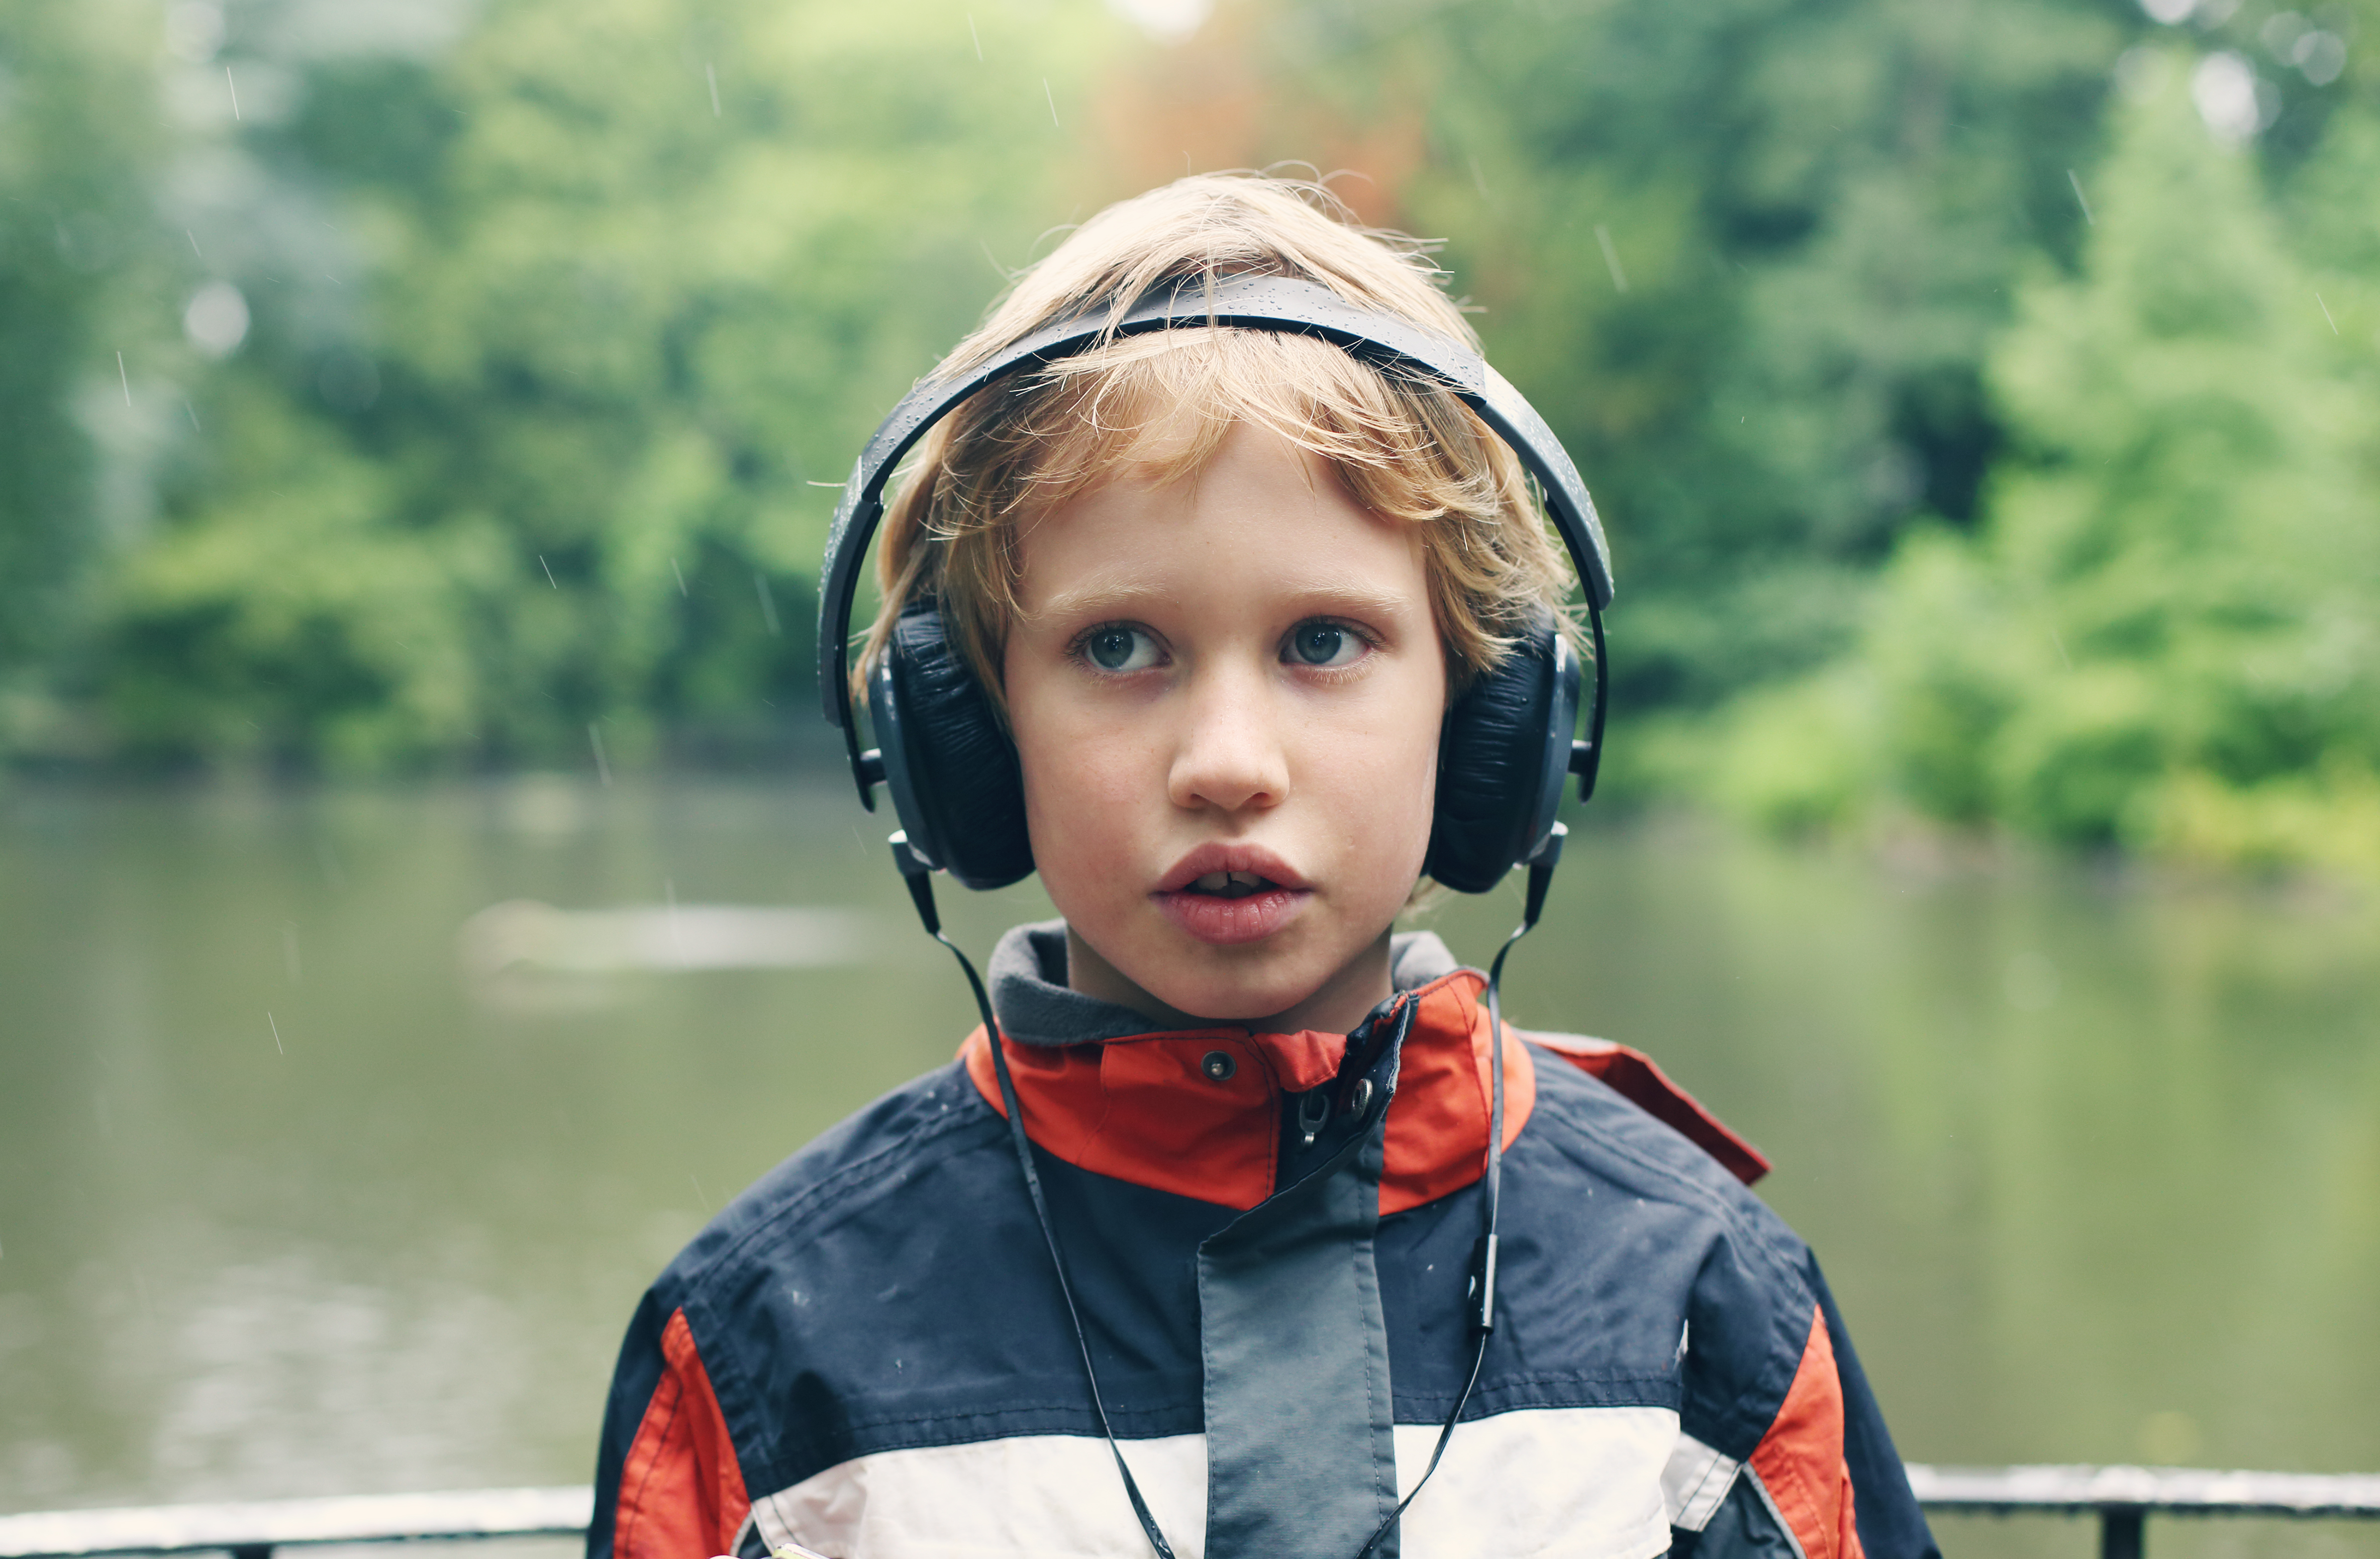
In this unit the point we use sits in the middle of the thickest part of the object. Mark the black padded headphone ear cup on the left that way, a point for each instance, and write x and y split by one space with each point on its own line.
948 763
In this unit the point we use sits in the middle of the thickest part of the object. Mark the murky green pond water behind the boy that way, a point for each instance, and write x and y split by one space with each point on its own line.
303 1189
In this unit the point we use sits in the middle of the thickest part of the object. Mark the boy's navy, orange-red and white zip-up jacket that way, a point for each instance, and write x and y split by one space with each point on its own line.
1270 1236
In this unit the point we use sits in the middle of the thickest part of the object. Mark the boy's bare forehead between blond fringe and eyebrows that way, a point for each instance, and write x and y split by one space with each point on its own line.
1258 520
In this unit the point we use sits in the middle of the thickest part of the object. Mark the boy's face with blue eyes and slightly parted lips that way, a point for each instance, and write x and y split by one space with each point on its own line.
1227 699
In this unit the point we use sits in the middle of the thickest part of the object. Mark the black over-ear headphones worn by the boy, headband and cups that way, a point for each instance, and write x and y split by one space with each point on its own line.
951 765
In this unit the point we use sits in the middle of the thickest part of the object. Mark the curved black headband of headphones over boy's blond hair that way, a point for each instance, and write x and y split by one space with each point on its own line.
1253 303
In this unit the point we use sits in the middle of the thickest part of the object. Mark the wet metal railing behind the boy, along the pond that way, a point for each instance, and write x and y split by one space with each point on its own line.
2122 1496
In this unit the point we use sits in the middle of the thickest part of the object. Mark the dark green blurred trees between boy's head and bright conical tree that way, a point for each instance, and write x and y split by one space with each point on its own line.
1820 215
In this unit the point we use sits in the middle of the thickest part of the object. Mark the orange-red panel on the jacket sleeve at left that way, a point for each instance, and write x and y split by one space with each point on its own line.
682 1491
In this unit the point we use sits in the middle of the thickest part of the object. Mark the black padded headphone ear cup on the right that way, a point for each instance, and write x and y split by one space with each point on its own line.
1501 765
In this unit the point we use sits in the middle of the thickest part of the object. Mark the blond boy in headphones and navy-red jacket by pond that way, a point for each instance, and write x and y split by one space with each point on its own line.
1210 615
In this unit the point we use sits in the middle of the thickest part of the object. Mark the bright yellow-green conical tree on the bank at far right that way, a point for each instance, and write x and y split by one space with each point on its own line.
2165 634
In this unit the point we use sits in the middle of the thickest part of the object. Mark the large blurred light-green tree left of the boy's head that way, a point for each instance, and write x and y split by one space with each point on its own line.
641 280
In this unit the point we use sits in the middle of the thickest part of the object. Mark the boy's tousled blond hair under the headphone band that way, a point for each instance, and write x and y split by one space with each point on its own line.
1408 449
